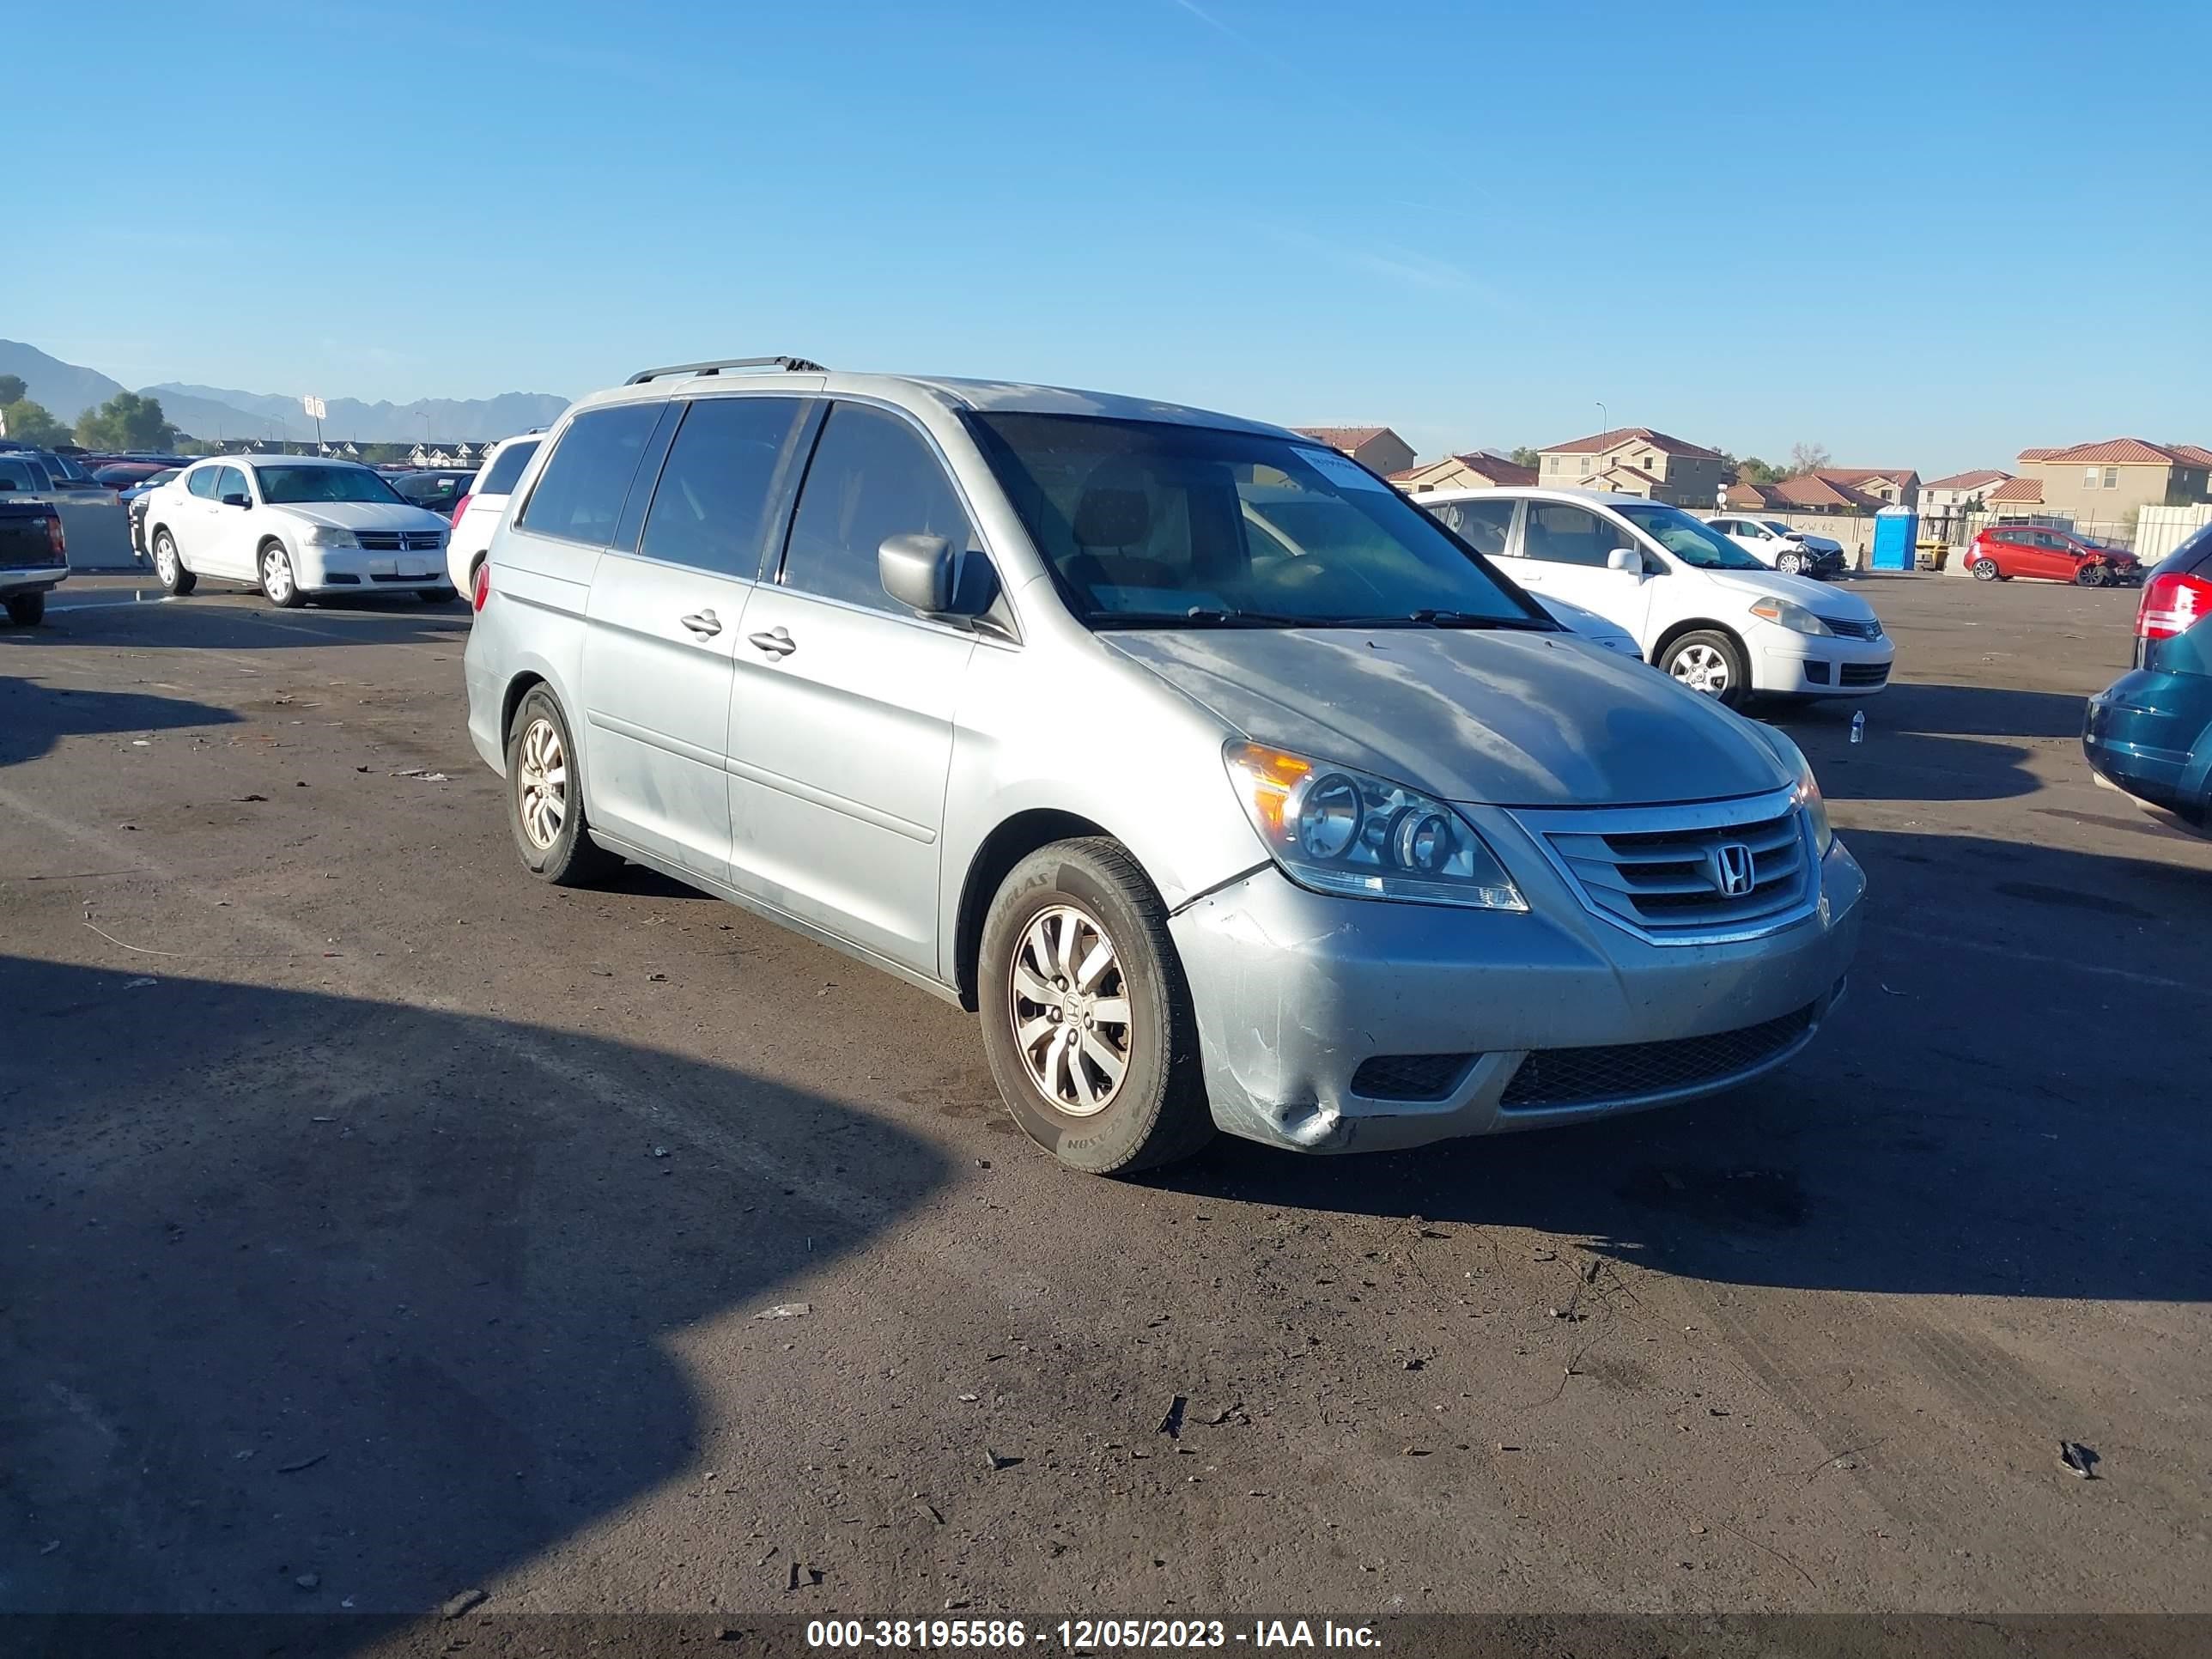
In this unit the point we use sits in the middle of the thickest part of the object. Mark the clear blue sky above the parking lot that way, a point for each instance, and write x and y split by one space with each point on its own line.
1919 236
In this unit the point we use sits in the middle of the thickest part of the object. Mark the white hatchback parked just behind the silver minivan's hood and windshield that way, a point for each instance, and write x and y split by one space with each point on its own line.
1702 609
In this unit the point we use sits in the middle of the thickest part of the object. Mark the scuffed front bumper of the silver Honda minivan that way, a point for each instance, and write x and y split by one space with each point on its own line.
1348 1025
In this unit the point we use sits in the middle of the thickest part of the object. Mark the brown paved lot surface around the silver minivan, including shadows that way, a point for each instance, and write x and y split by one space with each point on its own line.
382 1224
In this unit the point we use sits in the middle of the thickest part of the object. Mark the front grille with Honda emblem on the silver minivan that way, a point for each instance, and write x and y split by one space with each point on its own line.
1678 875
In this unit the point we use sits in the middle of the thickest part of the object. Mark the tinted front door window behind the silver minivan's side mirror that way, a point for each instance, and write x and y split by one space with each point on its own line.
873 477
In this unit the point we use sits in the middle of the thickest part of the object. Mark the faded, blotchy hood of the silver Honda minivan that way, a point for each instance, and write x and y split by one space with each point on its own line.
1477 718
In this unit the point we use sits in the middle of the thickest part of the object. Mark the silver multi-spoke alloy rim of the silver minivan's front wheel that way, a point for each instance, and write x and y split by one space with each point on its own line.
1070 1010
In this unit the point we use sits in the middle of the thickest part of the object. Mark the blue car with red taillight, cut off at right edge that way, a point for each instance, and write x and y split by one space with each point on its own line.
2151 731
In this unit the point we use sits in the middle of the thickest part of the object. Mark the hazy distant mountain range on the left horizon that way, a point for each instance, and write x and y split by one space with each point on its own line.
70 390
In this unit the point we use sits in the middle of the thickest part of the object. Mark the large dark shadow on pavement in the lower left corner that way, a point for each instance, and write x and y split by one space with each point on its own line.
317 1286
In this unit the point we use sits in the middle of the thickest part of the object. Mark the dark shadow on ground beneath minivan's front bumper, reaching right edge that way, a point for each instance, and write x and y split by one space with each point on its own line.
1983 1116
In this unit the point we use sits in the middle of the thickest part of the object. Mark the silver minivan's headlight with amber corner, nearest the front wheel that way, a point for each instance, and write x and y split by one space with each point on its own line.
1348 833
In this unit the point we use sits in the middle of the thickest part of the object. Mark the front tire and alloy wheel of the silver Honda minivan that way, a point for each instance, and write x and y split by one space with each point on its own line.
1087 1016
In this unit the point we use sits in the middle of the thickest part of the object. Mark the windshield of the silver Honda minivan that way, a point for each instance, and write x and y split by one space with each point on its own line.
1162 525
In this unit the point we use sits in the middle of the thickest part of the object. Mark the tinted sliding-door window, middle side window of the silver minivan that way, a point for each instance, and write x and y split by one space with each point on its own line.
718 486
